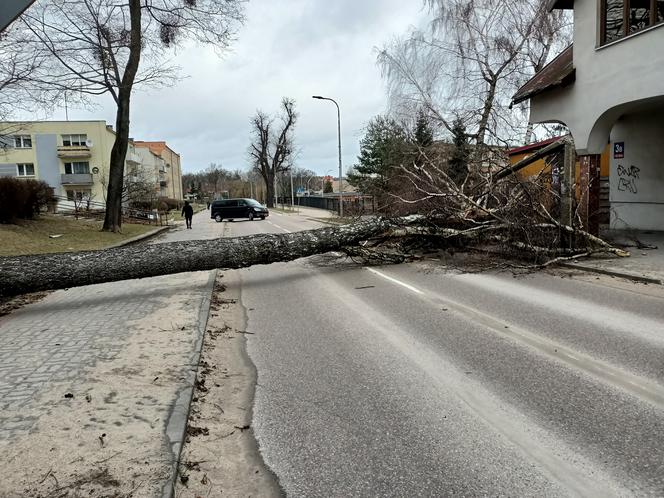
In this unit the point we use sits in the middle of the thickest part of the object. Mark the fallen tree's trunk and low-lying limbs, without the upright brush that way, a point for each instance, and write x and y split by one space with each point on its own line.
367 239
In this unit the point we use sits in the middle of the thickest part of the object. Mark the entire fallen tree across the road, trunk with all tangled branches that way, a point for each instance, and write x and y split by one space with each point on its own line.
492 209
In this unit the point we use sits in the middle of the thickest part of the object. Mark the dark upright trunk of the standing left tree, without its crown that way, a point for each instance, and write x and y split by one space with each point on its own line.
113 217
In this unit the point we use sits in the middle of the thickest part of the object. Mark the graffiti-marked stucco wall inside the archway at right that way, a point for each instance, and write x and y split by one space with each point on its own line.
637 179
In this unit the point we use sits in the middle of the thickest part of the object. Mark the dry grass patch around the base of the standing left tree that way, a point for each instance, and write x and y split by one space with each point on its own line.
32 237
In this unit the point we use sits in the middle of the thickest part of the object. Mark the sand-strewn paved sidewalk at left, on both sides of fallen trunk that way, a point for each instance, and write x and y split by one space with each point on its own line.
95 385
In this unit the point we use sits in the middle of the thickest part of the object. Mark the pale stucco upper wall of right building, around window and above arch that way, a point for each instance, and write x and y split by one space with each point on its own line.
612 80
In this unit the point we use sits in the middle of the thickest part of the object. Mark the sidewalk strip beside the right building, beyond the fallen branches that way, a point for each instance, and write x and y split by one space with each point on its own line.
646 261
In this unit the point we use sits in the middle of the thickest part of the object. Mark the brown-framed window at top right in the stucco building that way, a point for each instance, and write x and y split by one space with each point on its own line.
621 18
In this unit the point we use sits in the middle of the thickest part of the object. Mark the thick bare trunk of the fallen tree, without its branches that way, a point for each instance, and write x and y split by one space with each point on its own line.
24 274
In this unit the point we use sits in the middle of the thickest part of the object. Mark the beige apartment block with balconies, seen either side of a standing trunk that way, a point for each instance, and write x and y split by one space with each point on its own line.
73 157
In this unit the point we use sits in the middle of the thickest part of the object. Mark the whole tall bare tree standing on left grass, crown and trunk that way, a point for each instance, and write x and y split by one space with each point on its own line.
99 47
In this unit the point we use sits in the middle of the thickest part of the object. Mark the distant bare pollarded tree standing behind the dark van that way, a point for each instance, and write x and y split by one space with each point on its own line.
272 150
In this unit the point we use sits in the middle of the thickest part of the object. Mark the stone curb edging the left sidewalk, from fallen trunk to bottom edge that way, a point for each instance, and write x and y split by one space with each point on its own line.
176 427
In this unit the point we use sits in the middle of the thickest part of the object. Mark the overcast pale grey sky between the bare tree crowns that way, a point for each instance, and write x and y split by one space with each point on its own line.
292 48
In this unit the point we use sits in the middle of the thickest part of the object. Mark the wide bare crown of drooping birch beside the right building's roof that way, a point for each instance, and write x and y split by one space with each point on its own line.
470 62
